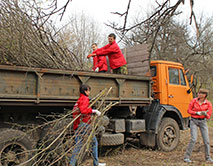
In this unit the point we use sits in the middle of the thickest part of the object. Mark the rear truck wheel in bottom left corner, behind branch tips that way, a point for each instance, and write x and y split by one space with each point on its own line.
15 147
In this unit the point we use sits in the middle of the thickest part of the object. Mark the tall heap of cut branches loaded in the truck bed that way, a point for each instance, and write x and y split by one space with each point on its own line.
28 39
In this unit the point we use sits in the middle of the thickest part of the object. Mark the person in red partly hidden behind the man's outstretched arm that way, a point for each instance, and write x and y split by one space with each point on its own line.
99 62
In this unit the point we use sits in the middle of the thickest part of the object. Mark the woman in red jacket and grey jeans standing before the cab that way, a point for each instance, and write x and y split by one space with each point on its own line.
200 109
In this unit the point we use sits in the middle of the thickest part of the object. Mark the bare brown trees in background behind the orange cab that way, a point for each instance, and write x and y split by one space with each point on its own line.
176 41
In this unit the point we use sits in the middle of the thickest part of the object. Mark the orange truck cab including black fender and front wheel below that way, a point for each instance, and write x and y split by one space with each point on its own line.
167 114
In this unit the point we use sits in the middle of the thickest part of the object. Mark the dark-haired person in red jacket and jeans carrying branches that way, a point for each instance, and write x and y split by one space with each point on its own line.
82 125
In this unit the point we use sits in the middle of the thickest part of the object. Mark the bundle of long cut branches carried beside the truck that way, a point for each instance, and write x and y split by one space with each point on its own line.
58 139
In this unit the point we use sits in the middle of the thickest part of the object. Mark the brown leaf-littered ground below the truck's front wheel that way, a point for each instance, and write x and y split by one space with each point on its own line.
131 154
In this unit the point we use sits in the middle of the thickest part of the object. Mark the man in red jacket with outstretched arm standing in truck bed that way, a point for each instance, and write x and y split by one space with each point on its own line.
116 58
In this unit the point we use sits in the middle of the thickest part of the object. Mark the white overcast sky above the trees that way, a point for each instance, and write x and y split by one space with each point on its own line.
100 10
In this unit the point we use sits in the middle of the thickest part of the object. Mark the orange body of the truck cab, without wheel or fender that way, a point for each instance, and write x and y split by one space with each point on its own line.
170 85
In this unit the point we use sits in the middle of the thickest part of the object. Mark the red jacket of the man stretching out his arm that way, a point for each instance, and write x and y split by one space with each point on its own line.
116 58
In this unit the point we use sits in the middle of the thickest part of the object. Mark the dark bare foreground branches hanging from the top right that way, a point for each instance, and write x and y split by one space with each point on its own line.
164 10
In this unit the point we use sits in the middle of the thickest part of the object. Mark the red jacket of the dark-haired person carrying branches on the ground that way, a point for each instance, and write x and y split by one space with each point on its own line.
83 106
